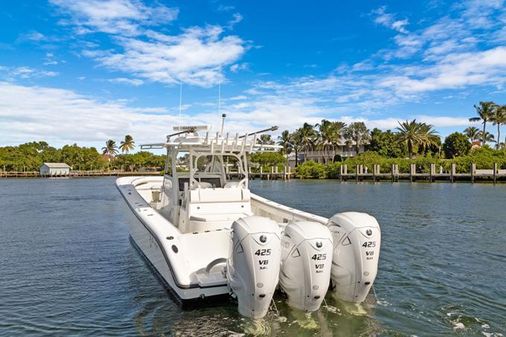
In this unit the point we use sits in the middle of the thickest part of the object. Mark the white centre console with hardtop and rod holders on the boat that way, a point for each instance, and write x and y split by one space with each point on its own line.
205 184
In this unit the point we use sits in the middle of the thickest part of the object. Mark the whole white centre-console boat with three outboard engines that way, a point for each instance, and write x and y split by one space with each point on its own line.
206 234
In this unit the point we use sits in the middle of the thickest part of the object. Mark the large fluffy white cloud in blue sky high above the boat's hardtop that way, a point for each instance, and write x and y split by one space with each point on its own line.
196 57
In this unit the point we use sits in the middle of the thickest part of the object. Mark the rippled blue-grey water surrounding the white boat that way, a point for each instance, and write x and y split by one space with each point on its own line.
67 267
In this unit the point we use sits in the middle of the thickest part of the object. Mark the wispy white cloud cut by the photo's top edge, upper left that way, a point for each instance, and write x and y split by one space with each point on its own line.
124 17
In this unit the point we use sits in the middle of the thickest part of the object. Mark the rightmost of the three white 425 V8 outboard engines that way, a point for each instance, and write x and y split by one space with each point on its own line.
357 240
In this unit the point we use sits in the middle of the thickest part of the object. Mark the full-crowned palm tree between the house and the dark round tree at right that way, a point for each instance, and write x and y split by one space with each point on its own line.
415 134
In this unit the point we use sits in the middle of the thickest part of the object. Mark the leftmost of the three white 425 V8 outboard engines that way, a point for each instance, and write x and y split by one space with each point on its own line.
253 267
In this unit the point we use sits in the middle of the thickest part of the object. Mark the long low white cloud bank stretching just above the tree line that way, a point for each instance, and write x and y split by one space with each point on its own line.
62 116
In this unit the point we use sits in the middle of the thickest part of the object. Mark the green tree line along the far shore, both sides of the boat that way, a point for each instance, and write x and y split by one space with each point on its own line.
411 139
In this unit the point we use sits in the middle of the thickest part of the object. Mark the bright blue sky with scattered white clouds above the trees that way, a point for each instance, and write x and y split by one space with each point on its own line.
86 71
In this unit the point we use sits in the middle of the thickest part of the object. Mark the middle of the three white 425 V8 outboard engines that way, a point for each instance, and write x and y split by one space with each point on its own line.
306 261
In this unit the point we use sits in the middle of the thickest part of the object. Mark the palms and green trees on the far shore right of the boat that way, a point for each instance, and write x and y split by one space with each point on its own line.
409 139
